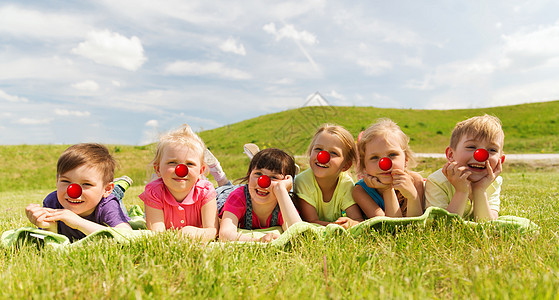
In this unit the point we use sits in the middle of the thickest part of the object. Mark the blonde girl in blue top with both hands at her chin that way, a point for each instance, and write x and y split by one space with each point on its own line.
388 187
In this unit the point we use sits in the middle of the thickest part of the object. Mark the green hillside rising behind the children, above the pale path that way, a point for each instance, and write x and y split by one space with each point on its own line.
529 128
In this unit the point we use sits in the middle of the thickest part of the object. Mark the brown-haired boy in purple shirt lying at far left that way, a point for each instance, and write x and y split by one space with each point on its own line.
83 202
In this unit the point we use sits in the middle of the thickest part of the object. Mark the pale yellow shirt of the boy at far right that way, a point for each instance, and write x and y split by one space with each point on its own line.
439 192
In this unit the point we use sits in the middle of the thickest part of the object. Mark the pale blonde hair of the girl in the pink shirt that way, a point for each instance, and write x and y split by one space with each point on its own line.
181 136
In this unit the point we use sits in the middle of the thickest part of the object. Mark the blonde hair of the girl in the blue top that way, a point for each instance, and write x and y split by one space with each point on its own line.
383 128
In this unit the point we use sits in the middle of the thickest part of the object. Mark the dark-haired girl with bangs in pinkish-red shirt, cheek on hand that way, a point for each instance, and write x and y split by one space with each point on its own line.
264 201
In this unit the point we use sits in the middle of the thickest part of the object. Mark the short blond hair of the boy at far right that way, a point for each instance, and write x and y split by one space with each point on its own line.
484 127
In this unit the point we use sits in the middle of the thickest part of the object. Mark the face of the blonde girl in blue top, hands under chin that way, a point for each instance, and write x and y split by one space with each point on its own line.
384 146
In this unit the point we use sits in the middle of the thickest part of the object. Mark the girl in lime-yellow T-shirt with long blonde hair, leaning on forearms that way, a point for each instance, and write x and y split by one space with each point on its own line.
324 189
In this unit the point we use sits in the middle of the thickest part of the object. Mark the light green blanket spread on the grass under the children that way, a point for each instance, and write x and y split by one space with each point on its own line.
432 216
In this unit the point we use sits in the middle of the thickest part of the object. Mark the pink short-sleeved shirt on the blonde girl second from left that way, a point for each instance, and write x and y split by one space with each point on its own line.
179 214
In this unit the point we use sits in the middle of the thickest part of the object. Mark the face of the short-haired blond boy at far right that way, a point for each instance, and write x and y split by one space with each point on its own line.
463 155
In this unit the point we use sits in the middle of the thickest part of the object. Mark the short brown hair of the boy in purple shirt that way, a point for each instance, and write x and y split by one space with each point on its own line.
91 154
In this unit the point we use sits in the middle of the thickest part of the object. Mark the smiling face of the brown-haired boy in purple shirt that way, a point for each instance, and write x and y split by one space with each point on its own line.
93 189
